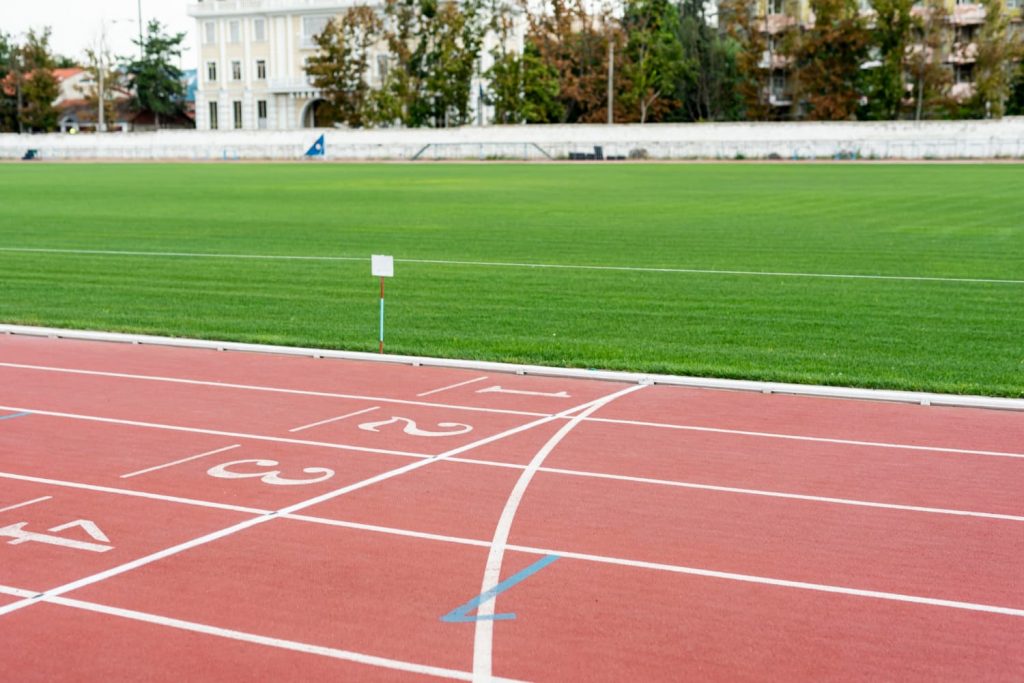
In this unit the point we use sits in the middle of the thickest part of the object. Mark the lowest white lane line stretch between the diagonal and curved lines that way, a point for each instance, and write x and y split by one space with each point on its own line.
295 647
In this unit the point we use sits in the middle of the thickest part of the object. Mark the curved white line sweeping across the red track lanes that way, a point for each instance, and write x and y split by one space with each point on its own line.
484 633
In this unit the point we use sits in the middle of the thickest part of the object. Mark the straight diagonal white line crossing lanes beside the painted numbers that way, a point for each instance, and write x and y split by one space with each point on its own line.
253 522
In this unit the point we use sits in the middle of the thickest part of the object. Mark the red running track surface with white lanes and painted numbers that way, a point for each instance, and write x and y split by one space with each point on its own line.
701 534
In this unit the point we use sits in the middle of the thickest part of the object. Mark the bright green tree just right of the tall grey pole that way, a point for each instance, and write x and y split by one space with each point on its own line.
656 57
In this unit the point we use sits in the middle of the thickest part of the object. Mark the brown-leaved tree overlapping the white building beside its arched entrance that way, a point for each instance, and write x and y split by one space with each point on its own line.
342 68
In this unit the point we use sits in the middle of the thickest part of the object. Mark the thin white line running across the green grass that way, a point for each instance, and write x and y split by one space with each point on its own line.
506 265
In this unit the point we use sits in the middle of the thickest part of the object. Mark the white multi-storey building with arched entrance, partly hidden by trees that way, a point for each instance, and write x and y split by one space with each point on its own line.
251 63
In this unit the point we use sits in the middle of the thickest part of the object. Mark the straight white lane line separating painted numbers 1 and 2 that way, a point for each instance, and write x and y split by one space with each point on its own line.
617 421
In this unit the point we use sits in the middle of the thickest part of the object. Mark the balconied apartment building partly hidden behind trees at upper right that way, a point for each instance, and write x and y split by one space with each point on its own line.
960 54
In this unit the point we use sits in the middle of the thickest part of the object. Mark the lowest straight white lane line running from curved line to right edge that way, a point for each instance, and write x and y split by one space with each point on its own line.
782 583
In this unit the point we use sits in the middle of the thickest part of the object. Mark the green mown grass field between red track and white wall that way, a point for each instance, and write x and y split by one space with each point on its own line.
942 222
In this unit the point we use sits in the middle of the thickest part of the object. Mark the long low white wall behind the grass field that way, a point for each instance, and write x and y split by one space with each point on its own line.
933 140
